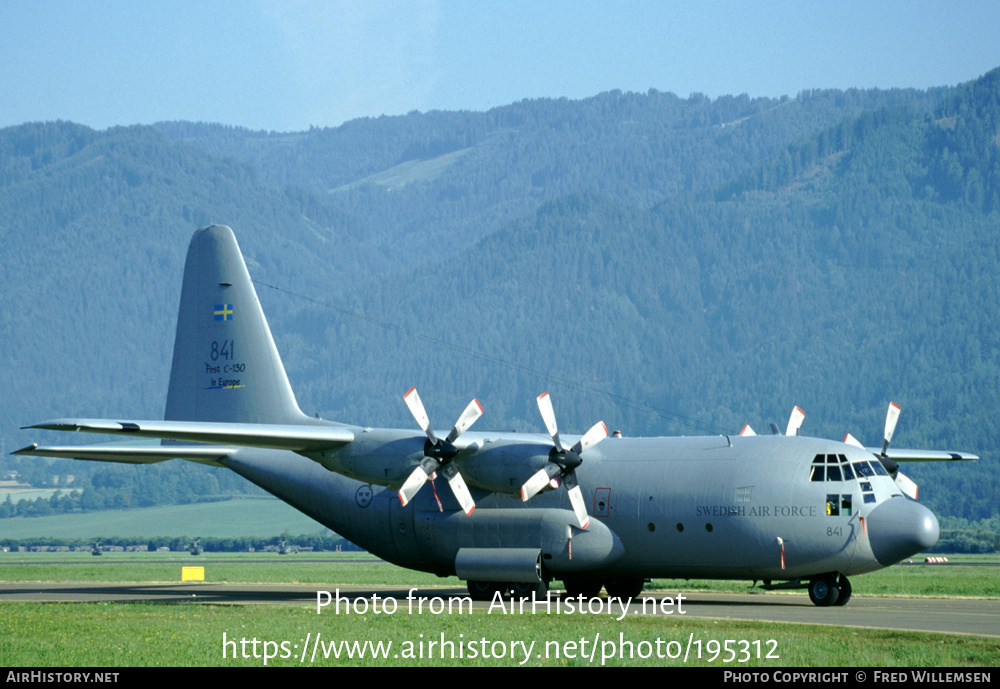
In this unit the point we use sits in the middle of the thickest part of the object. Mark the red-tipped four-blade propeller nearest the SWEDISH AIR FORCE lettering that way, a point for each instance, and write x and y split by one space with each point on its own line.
561 469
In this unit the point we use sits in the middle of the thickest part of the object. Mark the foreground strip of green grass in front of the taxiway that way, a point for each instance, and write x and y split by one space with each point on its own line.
192 635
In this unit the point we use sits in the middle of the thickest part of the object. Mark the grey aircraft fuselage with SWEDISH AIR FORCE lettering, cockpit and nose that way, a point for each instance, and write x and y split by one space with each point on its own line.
728 507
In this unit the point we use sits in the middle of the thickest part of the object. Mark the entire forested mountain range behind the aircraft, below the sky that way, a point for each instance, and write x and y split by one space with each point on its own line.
669 265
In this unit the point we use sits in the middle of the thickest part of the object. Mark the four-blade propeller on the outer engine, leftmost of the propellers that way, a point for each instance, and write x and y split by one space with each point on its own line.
438 453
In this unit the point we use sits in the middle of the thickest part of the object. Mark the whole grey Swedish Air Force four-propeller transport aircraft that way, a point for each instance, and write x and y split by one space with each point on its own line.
522 509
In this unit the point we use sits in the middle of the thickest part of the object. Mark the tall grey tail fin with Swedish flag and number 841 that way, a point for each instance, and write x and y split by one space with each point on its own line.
226 367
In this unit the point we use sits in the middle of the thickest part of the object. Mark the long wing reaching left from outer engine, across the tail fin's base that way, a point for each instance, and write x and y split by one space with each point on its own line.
270 436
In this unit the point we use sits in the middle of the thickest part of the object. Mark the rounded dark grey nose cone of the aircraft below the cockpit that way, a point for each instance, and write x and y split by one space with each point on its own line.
899 528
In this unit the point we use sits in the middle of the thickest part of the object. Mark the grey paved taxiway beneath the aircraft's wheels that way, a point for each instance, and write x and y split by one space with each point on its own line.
973 617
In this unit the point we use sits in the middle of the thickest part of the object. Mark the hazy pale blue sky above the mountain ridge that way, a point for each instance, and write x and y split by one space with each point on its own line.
286 65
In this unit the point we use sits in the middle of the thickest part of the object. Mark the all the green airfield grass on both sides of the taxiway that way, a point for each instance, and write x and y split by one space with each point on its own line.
116 634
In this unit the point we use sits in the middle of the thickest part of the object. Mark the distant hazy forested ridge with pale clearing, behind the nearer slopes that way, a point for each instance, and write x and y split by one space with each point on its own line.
435 183
